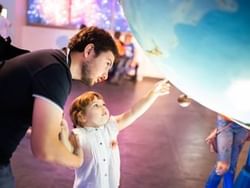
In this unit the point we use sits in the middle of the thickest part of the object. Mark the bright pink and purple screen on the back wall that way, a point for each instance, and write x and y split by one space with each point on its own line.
106 14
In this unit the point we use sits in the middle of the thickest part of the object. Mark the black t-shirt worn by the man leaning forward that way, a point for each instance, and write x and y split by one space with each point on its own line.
42 73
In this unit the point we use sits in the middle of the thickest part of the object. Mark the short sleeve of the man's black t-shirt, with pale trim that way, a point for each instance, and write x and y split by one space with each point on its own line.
52 83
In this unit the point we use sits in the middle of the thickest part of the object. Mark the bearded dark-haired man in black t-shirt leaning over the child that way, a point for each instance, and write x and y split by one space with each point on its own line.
33 91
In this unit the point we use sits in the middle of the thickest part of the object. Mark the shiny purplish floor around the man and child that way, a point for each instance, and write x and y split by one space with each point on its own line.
164 148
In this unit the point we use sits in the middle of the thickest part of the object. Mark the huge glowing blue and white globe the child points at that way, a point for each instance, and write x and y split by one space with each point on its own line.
203 47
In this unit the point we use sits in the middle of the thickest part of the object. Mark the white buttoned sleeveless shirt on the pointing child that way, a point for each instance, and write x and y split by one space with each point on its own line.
101 167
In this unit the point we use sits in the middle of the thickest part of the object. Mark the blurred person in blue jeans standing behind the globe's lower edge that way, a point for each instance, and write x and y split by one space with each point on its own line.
230 140
